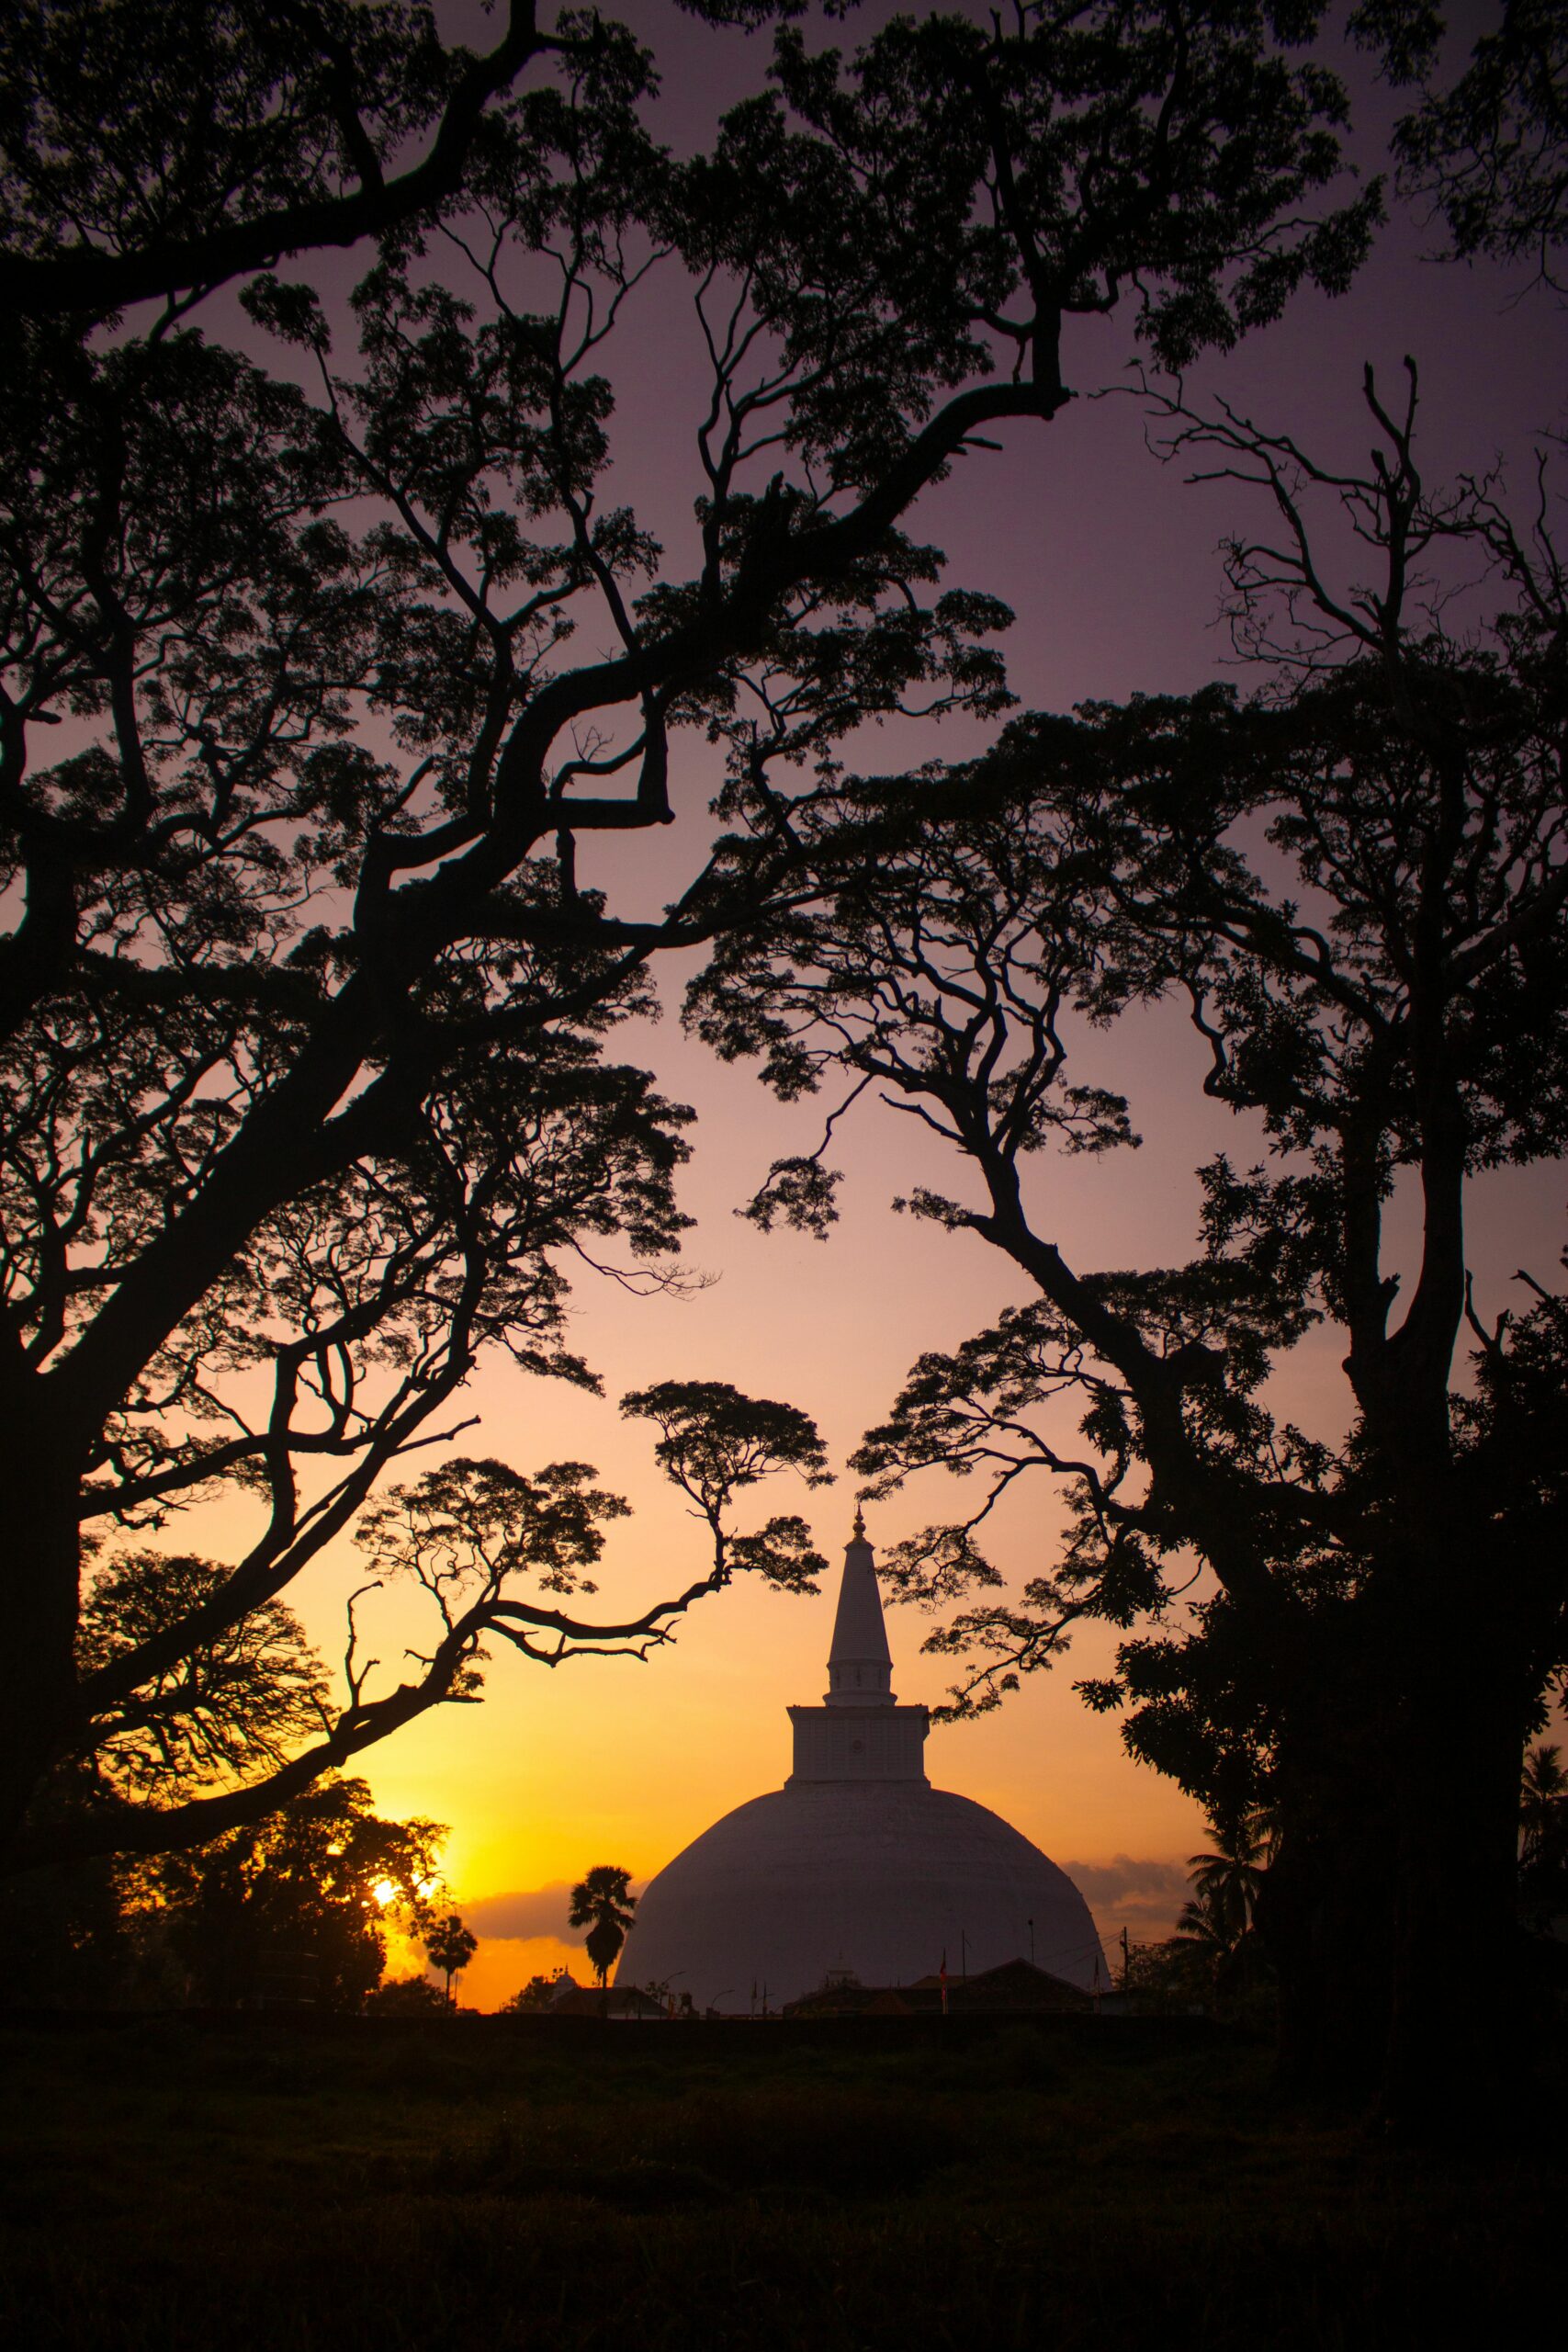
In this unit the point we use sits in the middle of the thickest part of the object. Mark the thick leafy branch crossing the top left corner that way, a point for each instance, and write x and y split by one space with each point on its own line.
283 126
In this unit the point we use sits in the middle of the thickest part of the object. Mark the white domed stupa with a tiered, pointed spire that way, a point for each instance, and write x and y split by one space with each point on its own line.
857 1862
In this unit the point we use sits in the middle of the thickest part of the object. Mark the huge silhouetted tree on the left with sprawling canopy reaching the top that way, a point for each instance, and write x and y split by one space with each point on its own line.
326 655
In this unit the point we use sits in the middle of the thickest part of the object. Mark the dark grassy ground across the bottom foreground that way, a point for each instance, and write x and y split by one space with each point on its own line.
485 2186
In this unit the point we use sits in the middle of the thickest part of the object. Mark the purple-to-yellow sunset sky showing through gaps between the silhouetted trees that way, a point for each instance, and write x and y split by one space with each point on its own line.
1108 561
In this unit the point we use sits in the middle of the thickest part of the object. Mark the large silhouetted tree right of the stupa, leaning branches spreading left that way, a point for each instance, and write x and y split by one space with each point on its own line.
1355 886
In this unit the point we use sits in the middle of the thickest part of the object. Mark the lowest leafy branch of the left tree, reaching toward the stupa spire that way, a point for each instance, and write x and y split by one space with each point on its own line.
246 1711
